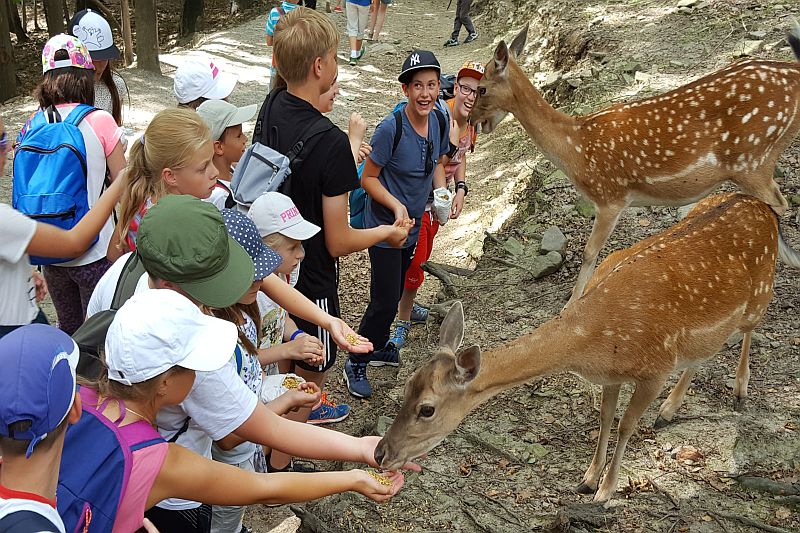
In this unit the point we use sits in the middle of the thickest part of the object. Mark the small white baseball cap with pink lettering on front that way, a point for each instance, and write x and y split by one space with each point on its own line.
274 212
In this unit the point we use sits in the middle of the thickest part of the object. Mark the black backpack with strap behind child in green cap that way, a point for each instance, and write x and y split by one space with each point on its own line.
91 336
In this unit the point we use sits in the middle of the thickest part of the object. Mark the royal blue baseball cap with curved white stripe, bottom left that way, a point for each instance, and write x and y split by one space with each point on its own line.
37 381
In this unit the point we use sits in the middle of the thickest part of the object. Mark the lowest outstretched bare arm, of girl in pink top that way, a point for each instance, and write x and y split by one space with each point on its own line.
187 475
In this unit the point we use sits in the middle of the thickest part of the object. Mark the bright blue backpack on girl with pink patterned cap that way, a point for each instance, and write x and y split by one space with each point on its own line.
50 171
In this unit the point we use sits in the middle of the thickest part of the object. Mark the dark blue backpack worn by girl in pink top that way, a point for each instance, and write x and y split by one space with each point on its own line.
96 465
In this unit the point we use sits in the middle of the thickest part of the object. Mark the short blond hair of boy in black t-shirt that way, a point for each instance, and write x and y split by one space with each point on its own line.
301 36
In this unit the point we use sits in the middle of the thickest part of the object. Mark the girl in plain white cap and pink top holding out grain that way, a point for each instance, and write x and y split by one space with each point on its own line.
156 343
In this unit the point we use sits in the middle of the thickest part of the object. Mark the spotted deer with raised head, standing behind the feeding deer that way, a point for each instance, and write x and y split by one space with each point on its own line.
672 149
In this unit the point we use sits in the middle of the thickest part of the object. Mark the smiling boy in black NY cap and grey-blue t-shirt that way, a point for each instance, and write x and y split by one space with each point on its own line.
408 148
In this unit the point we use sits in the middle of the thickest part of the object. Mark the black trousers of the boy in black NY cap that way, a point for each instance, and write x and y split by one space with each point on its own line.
387 277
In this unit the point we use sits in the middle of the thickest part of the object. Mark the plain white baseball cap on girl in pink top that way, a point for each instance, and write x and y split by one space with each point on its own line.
160 328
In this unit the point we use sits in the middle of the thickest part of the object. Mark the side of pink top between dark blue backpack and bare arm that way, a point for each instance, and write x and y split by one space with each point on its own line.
147 463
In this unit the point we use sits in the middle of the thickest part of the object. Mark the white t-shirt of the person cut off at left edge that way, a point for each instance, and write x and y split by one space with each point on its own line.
16 286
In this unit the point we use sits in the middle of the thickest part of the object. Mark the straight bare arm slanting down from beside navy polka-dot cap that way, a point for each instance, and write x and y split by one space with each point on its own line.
294 302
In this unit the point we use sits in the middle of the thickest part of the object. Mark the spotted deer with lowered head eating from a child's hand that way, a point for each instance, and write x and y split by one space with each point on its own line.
667 303
